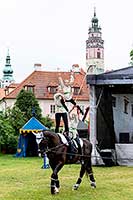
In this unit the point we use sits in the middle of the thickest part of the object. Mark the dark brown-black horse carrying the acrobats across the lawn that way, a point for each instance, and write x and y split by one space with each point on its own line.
58 155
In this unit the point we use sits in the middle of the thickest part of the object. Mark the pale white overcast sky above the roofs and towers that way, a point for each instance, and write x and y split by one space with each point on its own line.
53 33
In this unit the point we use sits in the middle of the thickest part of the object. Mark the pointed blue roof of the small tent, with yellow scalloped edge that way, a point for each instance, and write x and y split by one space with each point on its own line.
33 125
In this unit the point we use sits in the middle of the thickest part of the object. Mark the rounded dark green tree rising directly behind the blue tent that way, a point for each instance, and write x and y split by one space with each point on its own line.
28 104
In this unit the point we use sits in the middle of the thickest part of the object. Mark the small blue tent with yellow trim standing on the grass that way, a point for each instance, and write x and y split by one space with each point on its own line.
27 145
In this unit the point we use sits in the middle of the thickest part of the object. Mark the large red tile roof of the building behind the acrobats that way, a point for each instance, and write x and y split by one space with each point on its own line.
42 79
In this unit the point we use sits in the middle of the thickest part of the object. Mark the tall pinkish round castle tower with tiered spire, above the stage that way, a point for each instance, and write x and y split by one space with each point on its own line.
94 48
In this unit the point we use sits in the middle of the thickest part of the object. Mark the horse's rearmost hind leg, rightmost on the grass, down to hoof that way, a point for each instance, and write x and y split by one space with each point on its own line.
90 173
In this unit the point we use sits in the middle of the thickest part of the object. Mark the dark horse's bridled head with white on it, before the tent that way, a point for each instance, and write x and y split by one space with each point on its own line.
42 142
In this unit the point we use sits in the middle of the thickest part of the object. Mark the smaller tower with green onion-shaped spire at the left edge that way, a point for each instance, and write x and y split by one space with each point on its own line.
7 73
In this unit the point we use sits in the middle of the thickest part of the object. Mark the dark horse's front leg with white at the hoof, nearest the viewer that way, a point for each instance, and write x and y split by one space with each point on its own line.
54 178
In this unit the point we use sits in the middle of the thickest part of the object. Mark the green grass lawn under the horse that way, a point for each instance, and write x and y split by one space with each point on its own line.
23 179
